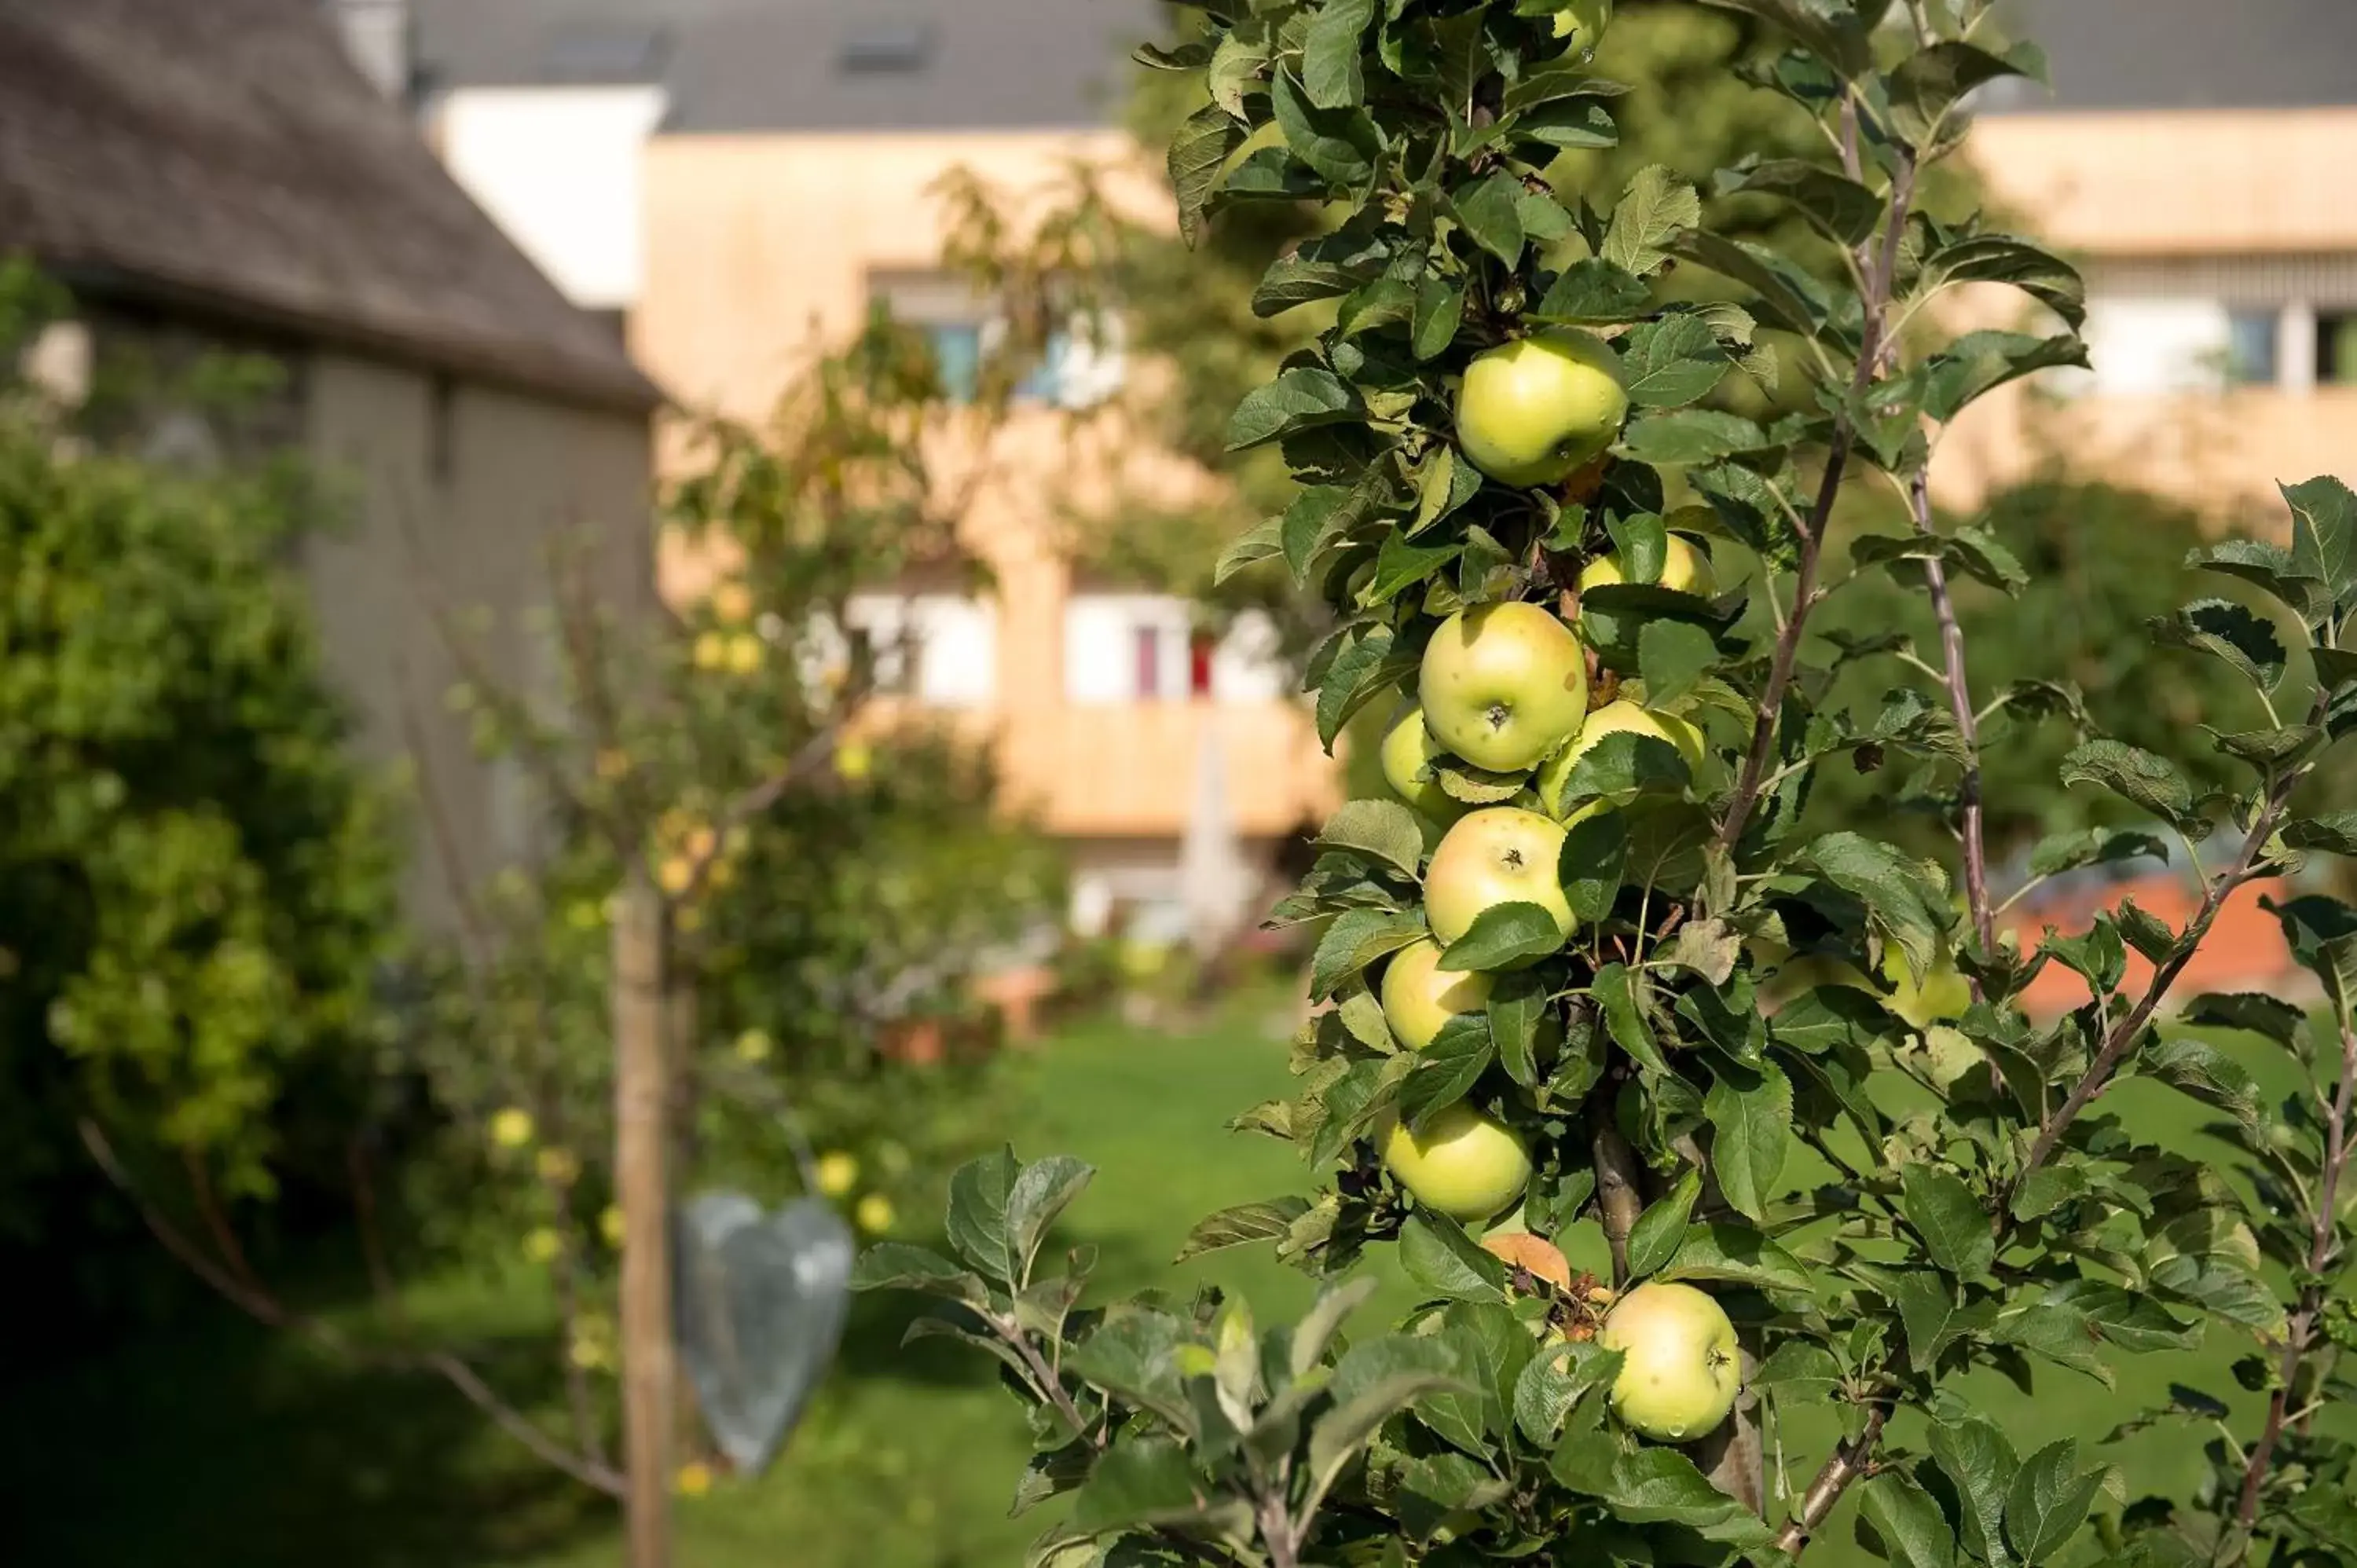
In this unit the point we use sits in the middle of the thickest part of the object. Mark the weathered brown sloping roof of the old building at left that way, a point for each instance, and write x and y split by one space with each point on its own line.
225 159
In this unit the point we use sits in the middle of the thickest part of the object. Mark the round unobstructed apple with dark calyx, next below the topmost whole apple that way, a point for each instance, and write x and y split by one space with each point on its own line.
1505 685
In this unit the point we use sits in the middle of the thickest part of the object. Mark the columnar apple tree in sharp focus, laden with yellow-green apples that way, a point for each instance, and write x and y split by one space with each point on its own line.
1599 982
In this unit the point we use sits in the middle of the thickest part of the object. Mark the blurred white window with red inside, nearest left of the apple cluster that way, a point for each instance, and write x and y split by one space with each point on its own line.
1147 650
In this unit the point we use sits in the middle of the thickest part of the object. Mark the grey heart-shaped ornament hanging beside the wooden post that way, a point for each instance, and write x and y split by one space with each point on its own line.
762 1305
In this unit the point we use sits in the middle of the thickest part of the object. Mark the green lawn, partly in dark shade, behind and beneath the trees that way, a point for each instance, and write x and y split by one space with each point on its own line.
227 1447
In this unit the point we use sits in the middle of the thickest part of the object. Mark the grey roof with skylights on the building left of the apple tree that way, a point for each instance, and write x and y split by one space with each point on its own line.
807 65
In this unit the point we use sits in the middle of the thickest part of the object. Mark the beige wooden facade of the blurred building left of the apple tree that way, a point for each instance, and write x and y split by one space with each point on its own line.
762 249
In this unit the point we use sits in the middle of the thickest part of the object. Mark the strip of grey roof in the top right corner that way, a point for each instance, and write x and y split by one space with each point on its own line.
2191 53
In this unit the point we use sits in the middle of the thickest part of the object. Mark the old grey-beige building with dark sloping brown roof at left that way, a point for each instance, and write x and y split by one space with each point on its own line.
225 180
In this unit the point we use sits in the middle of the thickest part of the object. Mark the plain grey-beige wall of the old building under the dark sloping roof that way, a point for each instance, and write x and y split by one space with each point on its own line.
425 541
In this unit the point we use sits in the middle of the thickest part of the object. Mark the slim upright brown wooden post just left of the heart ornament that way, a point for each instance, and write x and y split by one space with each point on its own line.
642 1138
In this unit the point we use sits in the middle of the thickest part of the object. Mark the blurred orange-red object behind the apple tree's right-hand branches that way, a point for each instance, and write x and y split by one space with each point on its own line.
2245 949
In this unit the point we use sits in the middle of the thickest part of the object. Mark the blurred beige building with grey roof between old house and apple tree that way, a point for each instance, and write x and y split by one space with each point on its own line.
744 178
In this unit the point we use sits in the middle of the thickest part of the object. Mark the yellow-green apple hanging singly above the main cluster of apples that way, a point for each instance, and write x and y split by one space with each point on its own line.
1540 407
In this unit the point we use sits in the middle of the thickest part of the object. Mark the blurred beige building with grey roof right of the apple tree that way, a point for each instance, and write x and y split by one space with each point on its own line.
2193 159
